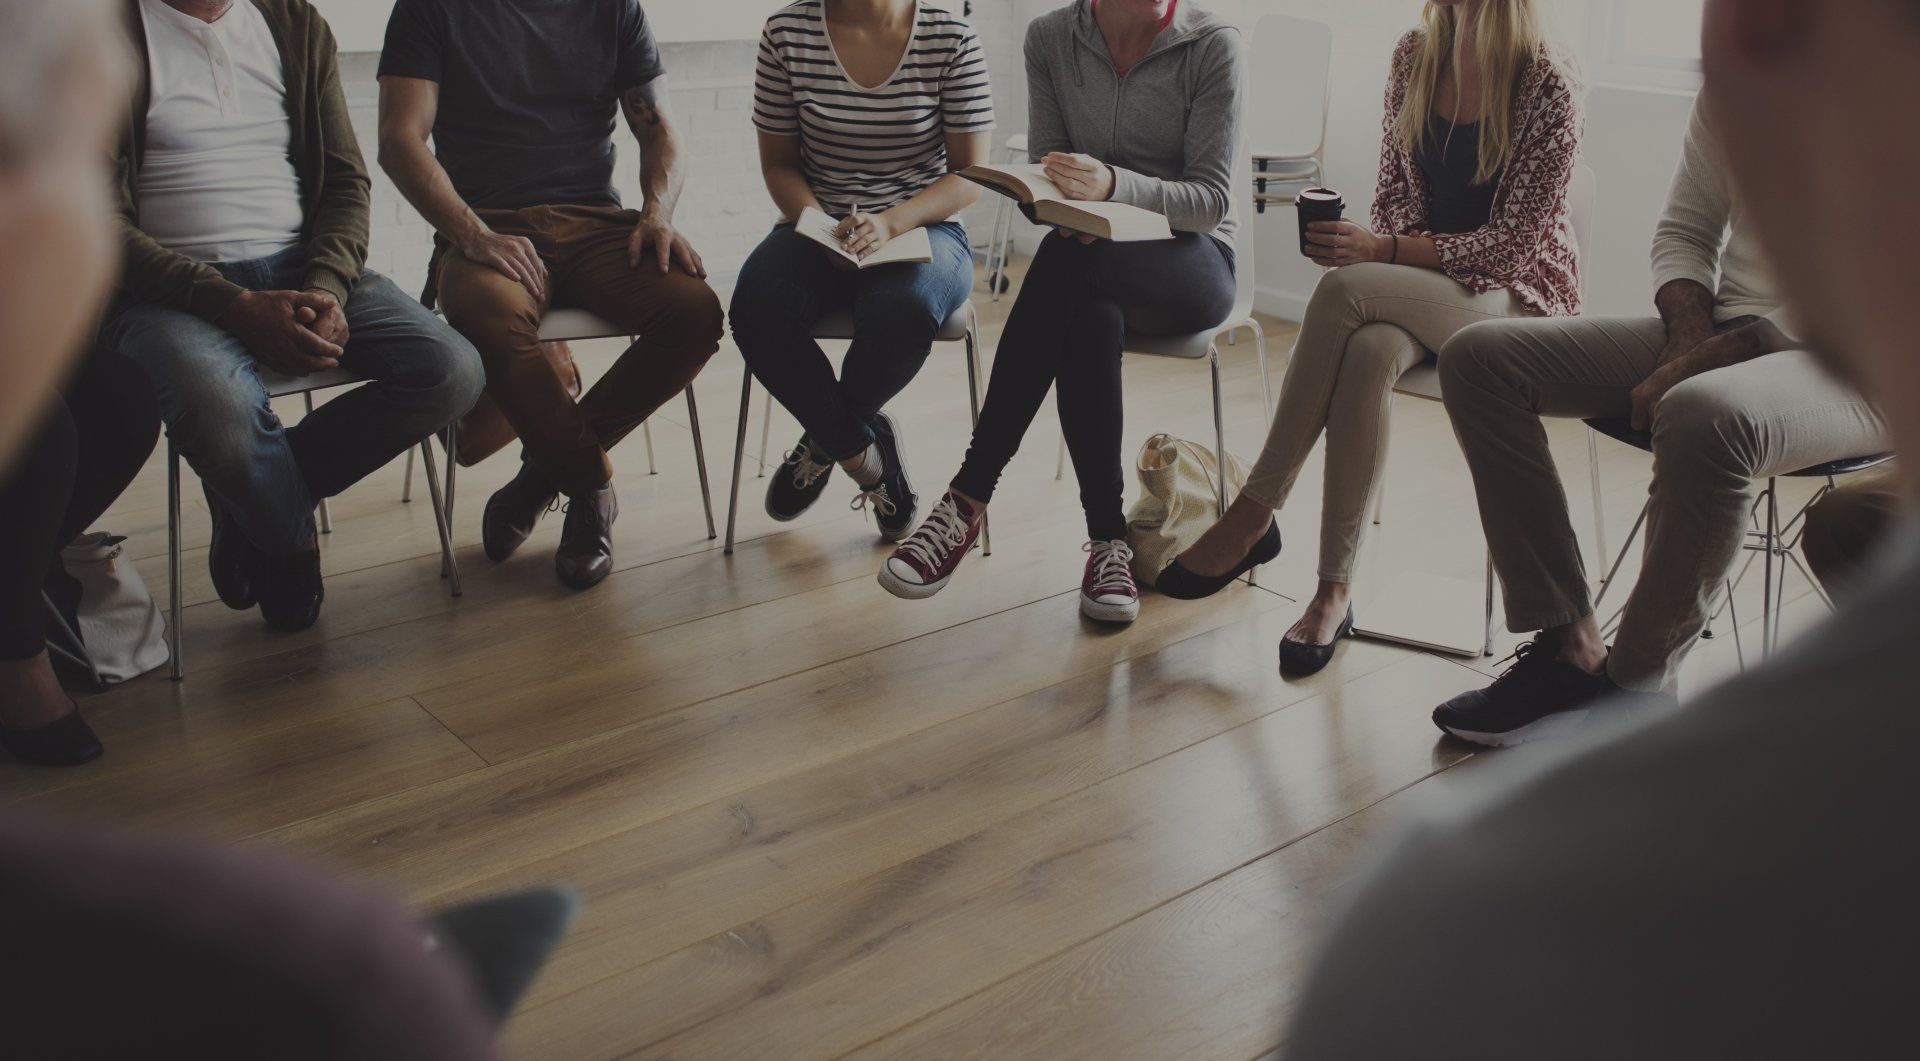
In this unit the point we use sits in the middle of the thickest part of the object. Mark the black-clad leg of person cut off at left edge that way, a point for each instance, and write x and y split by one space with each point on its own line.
91 444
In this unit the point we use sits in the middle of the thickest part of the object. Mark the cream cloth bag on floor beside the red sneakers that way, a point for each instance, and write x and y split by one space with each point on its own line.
1178 502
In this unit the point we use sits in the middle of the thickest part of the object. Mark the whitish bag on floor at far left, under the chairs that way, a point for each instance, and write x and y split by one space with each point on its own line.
120 623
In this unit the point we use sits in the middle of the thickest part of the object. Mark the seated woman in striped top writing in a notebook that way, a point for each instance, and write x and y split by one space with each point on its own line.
867 137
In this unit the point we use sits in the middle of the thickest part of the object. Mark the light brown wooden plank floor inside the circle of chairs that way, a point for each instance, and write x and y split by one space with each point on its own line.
811 820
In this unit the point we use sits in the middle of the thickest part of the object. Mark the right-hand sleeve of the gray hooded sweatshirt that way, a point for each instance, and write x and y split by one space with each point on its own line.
1199 200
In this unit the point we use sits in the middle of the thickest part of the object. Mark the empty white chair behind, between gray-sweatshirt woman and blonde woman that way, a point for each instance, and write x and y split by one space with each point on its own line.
1291 66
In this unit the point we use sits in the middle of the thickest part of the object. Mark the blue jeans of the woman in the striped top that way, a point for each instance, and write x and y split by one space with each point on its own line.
790 283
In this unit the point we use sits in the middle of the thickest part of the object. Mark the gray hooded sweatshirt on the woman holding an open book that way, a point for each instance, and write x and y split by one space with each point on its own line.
1168 130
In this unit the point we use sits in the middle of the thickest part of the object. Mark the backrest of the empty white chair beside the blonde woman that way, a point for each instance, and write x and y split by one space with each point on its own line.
1291 62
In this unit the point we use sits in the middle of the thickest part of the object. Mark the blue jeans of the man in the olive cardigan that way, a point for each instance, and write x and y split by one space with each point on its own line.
268 477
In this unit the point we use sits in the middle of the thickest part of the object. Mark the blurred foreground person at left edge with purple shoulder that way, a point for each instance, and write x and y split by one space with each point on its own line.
143 949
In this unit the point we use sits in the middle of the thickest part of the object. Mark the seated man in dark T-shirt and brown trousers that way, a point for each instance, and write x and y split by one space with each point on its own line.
519 103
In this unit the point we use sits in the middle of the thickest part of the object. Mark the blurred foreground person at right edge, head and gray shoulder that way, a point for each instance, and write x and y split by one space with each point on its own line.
1735 880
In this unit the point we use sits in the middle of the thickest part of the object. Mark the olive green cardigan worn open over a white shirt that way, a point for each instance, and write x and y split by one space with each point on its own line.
333 179
